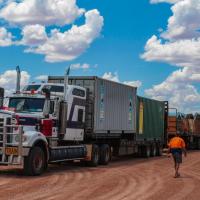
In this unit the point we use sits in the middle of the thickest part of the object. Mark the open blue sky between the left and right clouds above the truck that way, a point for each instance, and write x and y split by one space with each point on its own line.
127 27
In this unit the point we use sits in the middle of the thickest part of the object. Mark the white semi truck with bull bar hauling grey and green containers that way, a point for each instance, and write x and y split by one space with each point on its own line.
91 120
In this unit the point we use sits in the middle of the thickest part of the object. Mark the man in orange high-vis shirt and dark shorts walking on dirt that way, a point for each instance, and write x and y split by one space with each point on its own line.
176 147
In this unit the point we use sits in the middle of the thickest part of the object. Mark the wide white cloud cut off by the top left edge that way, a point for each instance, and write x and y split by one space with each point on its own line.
44 12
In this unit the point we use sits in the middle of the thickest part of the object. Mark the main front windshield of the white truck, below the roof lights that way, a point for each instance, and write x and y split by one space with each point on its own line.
26 104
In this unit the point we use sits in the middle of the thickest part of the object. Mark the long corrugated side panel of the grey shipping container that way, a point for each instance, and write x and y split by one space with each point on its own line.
115 107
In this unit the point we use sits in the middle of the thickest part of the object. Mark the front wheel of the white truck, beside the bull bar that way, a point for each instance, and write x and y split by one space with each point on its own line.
34 164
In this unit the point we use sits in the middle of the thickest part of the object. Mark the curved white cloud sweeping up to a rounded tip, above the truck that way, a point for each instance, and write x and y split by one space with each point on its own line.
70 44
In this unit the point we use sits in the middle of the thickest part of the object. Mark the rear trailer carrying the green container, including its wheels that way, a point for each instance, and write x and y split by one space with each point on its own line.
150 137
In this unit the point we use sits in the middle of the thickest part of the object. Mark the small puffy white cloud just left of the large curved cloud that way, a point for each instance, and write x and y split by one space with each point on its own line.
34 35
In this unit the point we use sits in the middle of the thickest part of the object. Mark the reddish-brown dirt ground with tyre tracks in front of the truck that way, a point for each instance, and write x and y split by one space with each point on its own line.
127 178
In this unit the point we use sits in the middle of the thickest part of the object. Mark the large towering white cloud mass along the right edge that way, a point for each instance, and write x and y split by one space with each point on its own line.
178 46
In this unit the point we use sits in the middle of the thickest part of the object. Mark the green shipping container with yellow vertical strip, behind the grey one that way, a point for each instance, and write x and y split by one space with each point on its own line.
150 119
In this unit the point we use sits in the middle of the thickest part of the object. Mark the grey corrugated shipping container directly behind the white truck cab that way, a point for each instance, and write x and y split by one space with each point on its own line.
111 106
